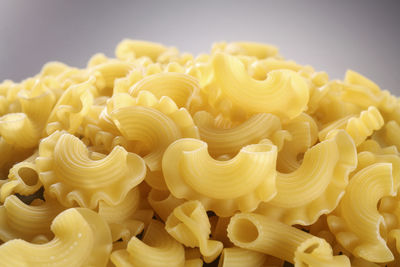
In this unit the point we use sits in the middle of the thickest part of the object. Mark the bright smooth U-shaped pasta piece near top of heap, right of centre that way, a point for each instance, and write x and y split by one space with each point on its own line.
283 93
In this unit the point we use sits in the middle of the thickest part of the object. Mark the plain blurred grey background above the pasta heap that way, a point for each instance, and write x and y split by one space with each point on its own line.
329 35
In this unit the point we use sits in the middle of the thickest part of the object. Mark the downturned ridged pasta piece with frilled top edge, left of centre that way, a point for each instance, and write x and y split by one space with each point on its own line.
153 123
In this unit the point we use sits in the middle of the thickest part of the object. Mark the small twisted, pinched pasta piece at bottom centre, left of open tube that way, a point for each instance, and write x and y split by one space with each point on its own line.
189 224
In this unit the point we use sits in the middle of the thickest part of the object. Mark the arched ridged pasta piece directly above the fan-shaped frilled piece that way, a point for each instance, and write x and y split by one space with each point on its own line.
179 87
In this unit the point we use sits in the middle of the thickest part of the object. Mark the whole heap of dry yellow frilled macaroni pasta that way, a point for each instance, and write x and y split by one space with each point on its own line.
158 158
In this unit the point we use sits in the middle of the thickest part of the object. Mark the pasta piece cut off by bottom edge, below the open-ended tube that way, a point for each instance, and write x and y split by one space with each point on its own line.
237 257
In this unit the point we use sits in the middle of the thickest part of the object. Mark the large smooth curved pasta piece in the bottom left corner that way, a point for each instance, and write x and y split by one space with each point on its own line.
82 238
